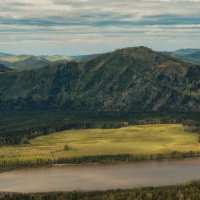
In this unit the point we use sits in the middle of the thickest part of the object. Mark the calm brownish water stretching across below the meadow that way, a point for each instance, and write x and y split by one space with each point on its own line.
100 177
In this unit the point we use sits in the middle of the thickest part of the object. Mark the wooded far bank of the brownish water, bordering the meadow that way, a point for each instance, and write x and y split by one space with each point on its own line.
99 160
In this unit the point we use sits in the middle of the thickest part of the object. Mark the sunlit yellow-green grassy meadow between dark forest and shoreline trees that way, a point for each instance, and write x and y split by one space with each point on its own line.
134 140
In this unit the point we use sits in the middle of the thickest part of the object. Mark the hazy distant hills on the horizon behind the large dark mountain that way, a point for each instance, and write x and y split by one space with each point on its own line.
27 62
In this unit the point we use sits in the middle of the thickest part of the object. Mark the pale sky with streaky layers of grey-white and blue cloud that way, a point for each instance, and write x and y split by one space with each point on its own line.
78 27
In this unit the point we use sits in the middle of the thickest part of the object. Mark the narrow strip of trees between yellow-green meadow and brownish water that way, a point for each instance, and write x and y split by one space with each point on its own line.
6 164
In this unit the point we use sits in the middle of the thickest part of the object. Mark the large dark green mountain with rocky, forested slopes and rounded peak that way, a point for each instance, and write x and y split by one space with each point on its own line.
129 80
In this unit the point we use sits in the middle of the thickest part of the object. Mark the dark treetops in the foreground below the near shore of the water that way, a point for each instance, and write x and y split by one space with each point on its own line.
179 192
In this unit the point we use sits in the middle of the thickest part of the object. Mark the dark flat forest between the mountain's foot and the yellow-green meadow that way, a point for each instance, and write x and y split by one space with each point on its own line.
18 128
